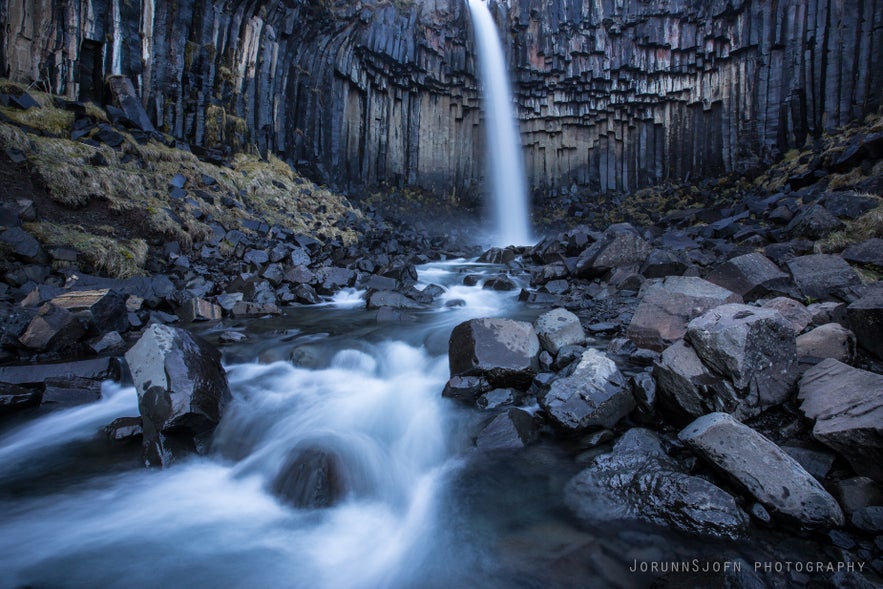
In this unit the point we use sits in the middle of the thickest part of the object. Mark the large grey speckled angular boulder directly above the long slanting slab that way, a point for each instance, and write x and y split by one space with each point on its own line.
753 347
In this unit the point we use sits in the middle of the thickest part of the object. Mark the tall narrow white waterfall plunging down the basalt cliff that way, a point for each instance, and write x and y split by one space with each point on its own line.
506 165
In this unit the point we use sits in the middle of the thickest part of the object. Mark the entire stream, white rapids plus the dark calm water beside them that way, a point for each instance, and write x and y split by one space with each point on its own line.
423 508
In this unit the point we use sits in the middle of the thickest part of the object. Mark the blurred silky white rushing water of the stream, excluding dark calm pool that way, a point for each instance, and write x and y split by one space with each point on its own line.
221 520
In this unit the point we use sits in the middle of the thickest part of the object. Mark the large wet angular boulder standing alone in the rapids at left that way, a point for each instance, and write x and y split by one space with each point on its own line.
182 389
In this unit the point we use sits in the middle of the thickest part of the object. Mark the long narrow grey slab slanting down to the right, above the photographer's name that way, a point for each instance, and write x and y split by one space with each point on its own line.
766 471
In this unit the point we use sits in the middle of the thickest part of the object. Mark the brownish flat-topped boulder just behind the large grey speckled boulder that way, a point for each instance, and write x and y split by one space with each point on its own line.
668 305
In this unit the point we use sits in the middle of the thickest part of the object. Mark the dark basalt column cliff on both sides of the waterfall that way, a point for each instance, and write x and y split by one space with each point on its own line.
612 94
